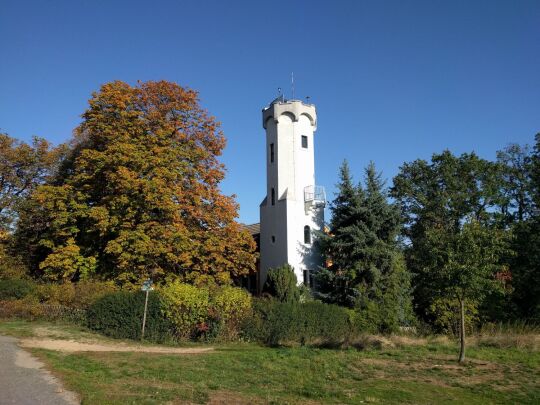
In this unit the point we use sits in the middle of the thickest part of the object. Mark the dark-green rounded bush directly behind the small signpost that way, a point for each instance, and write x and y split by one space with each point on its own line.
120 315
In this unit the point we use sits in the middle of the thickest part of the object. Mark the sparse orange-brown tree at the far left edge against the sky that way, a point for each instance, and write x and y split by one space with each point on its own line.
22 168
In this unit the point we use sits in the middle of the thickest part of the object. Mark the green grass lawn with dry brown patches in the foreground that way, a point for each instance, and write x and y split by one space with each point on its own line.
249 374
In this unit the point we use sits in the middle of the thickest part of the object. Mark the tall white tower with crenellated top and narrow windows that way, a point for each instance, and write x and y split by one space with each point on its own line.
294 206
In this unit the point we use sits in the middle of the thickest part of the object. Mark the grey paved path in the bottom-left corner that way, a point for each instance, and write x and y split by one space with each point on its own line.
24 380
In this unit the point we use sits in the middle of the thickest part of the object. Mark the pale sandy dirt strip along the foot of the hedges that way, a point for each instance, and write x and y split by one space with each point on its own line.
70 346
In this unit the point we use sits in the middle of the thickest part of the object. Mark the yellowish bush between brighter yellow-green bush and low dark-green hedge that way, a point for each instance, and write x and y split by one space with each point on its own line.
229 307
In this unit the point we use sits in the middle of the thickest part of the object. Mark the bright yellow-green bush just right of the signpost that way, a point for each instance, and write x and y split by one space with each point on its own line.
186 307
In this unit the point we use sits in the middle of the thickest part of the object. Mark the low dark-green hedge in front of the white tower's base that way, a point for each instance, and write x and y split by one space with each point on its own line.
311 323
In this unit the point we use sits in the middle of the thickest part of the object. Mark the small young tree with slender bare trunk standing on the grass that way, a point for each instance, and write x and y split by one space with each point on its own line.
466 265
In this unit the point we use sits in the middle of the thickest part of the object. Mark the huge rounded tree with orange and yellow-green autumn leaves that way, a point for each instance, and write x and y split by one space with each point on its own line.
139 195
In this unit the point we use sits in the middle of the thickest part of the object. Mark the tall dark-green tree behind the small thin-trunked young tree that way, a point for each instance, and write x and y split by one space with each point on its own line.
442 195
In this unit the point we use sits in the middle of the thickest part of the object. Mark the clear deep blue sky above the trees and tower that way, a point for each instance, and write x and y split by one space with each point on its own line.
392 80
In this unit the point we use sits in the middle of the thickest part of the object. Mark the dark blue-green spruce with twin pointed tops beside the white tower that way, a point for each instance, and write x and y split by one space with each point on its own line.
366 268
